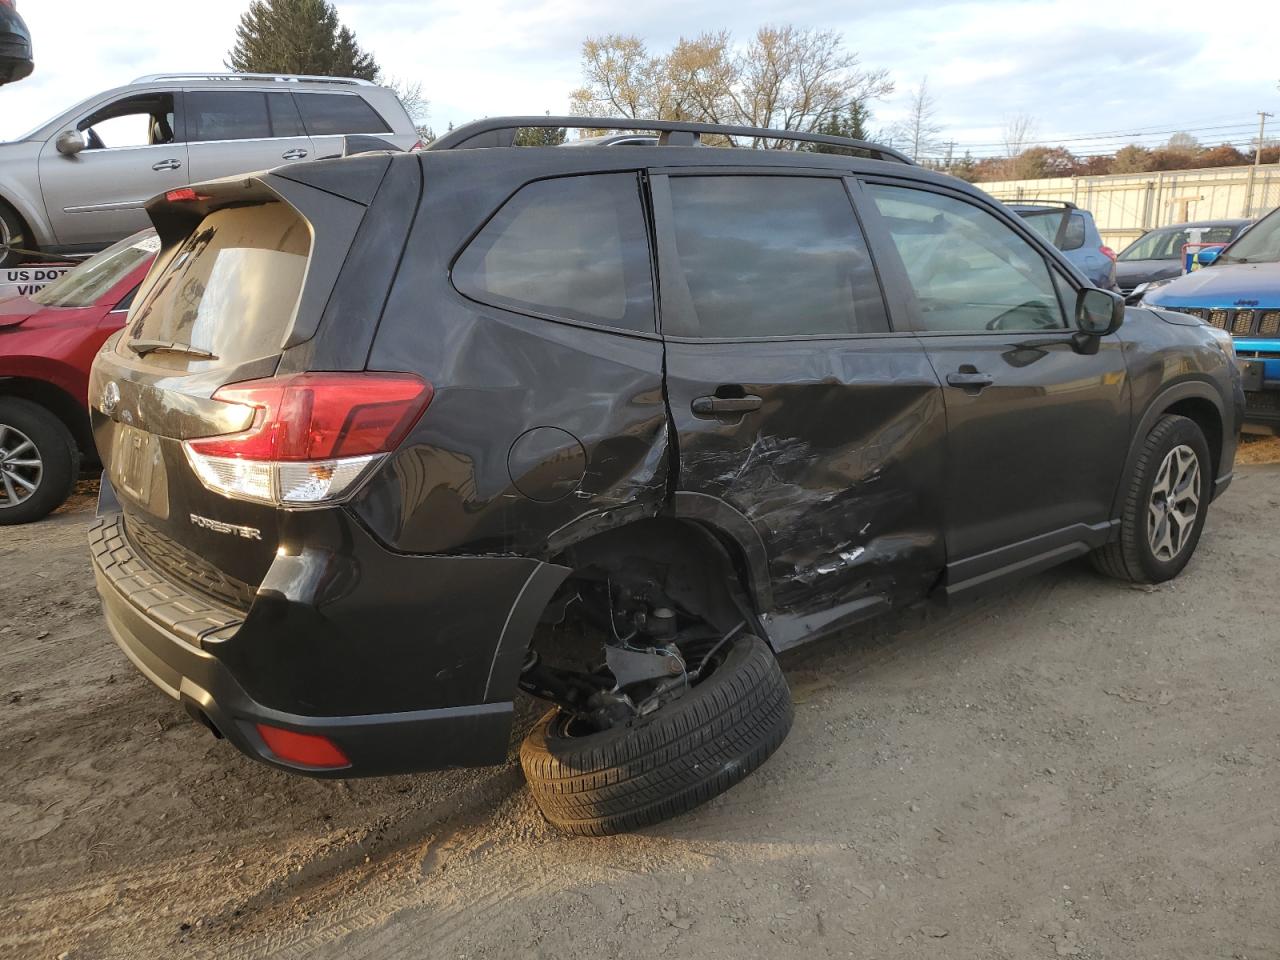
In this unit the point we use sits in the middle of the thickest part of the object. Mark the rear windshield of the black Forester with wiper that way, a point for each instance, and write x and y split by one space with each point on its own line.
231 291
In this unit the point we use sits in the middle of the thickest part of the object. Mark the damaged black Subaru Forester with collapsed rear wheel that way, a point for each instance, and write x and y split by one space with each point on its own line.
392 437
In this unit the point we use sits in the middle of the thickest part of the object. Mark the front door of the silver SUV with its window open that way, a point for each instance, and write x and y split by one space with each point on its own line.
134 152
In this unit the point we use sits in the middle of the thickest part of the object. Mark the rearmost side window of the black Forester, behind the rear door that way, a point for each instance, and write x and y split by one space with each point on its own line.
574 248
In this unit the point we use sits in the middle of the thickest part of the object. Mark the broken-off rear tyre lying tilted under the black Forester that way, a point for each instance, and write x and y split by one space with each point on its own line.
600 783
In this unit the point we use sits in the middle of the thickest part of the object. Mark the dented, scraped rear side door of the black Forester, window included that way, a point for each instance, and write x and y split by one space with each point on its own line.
796 404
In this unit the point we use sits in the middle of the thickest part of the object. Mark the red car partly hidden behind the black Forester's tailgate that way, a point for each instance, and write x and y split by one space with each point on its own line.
48 342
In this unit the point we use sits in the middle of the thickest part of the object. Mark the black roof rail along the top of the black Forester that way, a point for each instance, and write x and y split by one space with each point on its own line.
501 132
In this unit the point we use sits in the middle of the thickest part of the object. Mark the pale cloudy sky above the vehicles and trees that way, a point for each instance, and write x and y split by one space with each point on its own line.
1092 74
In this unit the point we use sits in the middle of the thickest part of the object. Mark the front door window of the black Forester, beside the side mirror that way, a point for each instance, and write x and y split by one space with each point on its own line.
970 271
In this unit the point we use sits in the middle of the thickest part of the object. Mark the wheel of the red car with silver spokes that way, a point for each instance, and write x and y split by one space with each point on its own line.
39 461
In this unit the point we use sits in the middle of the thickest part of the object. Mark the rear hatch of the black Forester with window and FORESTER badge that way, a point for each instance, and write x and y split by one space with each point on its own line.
243 301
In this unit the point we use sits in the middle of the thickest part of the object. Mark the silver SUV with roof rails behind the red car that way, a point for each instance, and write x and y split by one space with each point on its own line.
79 182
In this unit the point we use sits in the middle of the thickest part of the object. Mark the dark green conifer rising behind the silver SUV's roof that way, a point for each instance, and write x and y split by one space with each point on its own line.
298 36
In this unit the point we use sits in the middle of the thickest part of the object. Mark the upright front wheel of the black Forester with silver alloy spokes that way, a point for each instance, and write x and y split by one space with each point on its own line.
1164 508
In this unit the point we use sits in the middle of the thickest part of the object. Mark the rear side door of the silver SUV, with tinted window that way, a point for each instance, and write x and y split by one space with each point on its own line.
243 131
